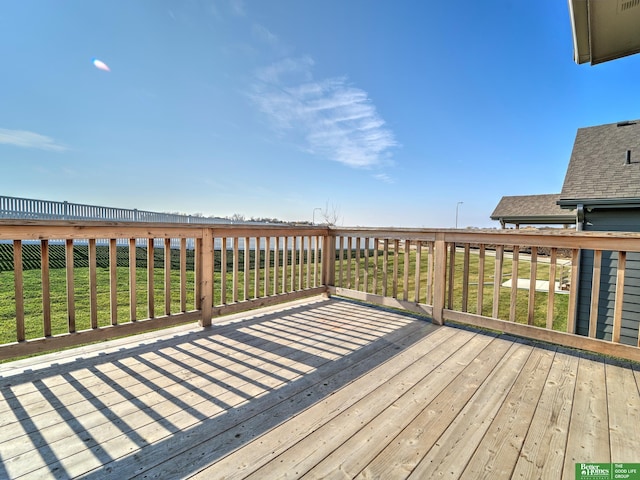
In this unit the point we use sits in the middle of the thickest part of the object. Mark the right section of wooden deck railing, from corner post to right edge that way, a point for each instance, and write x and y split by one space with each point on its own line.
575 289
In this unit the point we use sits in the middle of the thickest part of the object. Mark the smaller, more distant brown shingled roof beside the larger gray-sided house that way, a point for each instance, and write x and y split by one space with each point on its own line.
532 210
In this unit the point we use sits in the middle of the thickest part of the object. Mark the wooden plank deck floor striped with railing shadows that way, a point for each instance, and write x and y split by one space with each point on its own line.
316 389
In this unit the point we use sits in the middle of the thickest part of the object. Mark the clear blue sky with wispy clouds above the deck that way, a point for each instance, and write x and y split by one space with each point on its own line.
388 112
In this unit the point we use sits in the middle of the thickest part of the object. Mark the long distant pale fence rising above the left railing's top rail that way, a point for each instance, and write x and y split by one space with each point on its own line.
28 208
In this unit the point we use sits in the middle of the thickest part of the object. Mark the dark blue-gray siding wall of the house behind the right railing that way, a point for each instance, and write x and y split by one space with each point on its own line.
627 220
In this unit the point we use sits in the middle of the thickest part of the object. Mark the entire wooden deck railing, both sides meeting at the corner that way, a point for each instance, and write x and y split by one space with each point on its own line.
77 282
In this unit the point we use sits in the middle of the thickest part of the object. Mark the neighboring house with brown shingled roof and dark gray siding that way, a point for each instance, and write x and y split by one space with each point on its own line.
602 184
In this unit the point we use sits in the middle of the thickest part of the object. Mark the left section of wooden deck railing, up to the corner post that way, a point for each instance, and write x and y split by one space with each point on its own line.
123 278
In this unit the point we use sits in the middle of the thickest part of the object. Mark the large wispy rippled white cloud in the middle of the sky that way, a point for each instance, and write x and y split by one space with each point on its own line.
335 119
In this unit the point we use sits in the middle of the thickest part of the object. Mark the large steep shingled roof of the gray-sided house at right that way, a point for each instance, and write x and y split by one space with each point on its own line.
598 172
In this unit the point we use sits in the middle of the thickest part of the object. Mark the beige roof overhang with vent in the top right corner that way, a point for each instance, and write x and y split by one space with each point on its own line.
604 30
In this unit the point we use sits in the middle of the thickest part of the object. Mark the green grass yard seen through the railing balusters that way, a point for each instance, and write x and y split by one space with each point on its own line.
33 288
